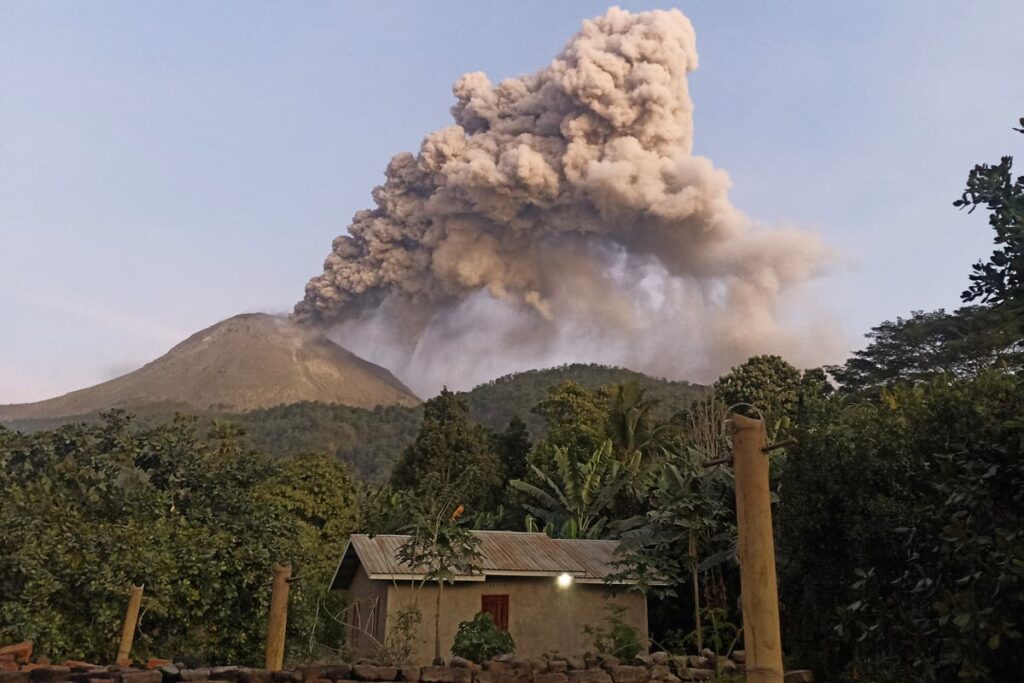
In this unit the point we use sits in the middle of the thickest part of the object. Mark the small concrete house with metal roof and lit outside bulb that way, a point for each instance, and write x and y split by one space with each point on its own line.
543 591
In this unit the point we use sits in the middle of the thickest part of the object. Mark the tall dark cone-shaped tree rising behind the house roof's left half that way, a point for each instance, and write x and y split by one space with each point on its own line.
450 454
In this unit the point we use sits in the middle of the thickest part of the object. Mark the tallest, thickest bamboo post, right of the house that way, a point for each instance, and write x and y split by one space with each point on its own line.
757 553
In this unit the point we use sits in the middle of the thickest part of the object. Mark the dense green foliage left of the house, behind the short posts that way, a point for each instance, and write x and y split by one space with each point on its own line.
197 518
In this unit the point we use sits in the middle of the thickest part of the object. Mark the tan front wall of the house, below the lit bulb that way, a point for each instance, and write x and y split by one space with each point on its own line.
543 618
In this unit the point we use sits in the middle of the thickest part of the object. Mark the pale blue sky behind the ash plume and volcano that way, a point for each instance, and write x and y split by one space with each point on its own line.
164 166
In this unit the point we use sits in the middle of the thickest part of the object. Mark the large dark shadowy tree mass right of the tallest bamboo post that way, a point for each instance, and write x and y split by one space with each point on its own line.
901 521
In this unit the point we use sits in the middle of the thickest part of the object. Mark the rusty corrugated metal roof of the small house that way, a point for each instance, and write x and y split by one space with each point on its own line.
502 554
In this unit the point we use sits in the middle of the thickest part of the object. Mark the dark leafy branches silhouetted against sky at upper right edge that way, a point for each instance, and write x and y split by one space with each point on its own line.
1002 279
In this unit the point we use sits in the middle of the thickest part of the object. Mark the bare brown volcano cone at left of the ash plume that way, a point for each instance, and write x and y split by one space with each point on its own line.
245 363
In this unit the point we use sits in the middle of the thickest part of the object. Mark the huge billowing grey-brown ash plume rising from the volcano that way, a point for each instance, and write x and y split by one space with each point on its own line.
565 218
